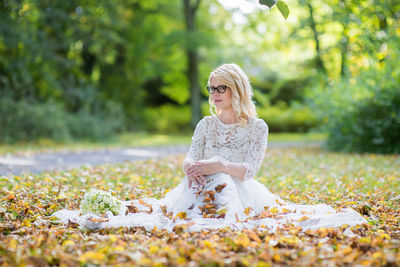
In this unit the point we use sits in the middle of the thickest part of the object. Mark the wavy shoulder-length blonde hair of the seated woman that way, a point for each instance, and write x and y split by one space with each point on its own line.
233 76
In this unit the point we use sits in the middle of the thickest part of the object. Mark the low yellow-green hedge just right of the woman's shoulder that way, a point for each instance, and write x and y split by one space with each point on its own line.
281 118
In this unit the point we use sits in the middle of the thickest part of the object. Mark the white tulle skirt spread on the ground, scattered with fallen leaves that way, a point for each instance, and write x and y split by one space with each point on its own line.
224 201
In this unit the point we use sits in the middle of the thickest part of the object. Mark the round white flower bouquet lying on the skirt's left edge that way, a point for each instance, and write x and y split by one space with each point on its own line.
99 202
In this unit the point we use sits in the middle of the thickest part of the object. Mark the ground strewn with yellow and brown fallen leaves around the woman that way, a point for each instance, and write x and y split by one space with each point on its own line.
368 183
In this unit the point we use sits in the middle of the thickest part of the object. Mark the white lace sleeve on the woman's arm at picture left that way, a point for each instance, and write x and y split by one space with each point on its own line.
197 145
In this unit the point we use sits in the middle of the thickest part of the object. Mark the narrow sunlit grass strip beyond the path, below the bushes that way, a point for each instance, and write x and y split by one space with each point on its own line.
135 140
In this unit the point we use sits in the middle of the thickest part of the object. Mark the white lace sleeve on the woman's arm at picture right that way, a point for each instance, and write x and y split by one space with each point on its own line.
255 154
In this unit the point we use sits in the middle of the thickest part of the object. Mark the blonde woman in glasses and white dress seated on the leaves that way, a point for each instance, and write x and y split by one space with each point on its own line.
219 189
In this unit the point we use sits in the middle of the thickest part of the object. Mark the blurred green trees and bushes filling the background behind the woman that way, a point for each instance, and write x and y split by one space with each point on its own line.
72 70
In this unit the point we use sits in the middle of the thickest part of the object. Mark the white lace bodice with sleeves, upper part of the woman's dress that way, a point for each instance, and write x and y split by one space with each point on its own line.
232 142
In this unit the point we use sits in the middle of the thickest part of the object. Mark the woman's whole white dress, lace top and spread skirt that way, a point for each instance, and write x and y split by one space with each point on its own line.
224 201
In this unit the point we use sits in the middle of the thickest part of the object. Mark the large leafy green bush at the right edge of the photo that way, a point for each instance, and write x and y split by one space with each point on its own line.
362 113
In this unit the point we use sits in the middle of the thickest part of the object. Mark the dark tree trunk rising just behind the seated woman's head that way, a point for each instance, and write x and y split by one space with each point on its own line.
192 60
